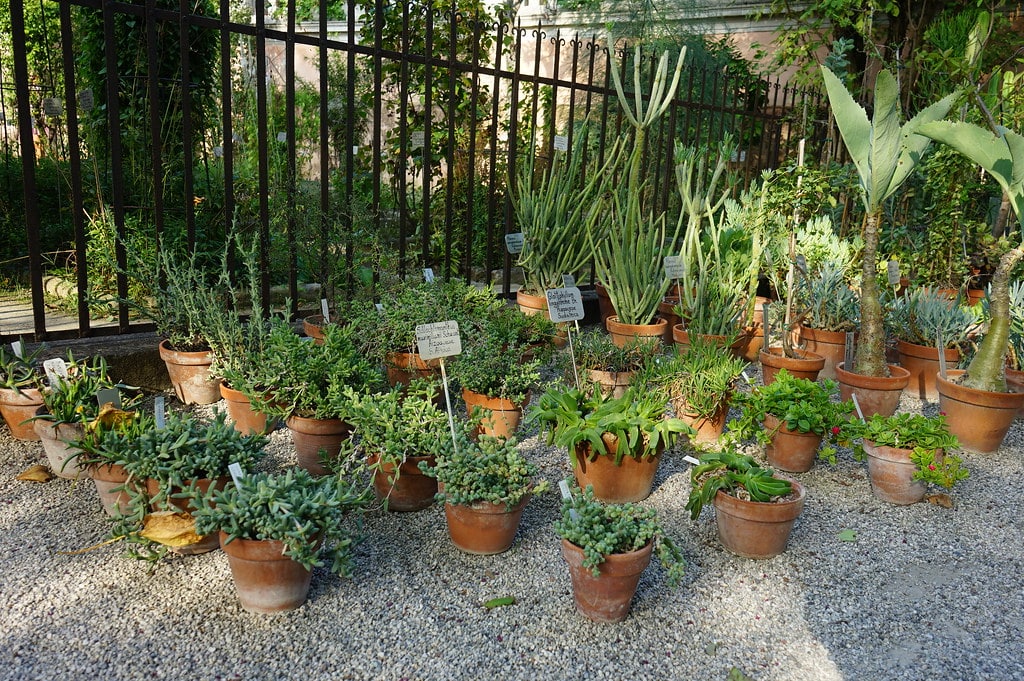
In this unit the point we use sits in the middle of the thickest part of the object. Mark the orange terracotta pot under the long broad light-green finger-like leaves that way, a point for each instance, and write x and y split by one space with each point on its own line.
631 481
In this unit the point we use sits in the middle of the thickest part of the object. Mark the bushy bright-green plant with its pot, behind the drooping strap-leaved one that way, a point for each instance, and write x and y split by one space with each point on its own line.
791 417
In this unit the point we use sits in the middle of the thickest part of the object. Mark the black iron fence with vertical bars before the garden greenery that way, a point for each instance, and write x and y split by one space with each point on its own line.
346 147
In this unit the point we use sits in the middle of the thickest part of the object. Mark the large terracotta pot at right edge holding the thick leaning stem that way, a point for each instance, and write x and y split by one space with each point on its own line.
979 419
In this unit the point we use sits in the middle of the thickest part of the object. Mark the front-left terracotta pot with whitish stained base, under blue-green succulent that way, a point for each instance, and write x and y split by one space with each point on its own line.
266 579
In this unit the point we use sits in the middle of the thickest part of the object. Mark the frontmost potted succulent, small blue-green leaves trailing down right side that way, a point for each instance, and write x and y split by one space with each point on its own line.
608 548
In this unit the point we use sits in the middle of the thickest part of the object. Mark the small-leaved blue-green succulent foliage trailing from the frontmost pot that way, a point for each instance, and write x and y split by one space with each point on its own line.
604 530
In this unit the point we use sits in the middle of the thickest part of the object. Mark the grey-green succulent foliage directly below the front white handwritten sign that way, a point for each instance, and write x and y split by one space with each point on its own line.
490 470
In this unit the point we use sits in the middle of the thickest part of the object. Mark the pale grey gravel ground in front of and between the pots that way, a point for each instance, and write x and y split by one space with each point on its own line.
923 593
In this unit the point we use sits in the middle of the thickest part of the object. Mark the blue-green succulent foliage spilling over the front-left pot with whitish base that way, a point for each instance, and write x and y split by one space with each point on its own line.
313 517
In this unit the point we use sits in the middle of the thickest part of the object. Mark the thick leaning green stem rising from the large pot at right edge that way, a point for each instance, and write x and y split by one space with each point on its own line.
988 370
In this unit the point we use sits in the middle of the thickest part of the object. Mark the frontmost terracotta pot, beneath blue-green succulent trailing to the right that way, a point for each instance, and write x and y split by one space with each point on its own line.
608 597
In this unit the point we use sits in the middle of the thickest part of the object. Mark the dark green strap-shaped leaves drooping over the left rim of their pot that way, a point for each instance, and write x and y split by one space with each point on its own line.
735 475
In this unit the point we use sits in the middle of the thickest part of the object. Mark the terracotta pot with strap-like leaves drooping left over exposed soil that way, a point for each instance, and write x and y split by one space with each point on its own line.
755 510
